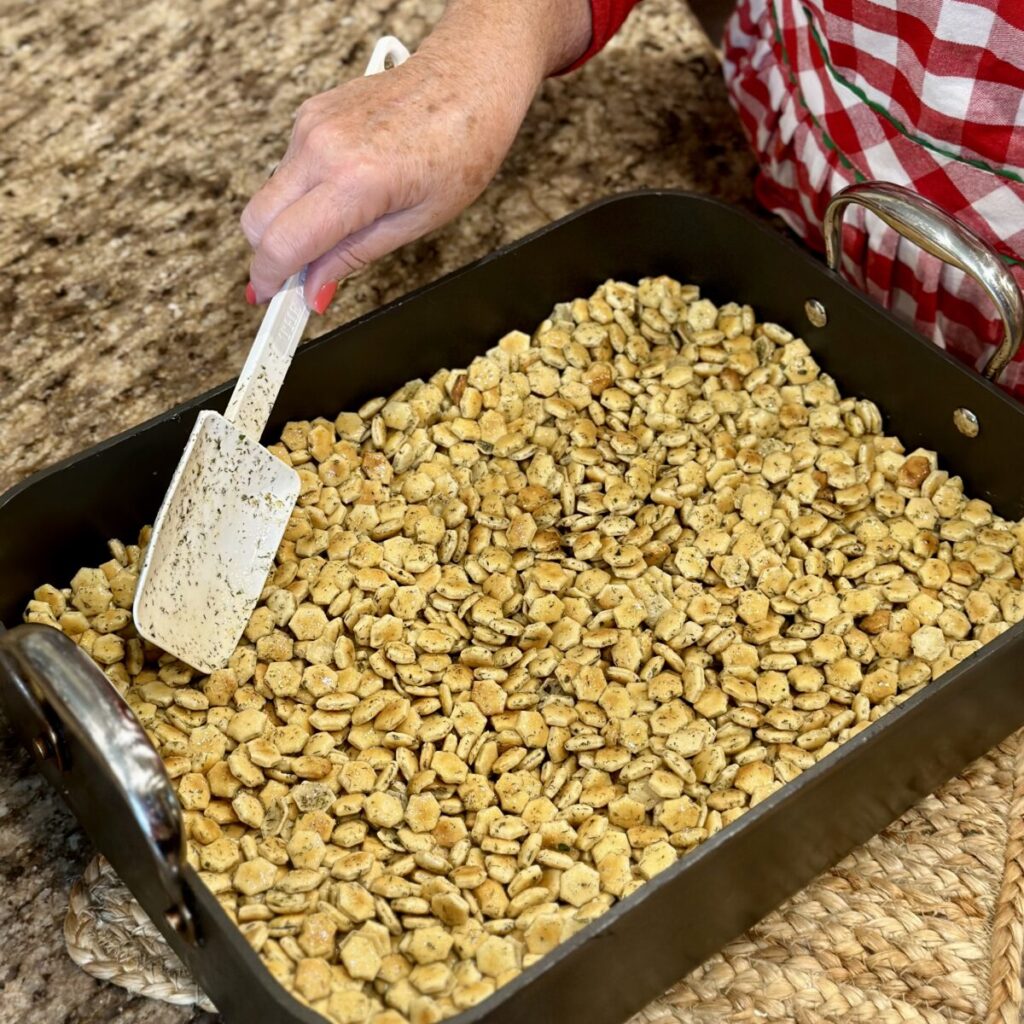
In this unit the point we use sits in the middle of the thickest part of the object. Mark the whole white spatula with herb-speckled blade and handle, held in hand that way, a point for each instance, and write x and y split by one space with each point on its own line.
218 533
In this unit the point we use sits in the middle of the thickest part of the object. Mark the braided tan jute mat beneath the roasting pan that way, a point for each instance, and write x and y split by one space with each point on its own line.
925 923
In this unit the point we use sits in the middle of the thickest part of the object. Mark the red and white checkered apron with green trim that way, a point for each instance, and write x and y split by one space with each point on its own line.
927 95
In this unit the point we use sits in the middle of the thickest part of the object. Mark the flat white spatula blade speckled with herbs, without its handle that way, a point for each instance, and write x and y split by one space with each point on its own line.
214 544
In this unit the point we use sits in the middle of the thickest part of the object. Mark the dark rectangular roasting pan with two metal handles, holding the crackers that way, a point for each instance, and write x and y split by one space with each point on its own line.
90 747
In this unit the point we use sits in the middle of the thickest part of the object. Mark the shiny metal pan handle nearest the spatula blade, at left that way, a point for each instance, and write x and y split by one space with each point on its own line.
93 750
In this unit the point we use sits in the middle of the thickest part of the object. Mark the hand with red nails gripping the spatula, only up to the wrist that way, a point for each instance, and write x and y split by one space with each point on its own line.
373 164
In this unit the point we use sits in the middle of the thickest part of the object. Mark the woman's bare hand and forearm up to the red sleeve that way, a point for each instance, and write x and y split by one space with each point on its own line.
380 161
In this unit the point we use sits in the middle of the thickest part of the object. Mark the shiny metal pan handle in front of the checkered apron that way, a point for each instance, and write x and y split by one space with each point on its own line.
937 233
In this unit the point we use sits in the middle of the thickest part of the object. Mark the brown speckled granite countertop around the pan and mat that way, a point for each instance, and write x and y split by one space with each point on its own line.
135 134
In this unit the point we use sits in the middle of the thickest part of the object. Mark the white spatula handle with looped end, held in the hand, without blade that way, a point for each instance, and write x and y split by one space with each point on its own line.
269 360
